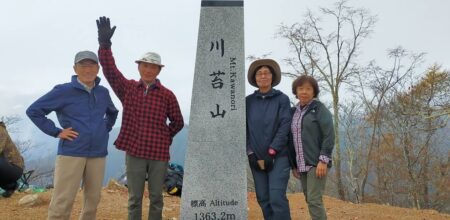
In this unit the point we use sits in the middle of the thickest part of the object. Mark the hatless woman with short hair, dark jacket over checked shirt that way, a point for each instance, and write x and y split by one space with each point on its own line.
311 143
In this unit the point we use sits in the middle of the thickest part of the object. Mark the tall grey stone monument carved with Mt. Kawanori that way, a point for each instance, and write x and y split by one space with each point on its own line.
215 179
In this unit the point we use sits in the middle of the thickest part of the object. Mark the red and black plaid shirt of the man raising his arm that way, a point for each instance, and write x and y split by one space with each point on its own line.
144 132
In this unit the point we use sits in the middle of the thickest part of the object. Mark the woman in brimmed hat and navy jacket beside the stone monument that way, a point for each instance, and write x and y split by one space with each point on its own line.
268 124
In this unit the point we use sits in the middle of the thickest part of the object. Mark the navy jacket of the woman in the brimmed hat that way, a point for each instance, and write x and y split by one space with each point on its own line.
268 122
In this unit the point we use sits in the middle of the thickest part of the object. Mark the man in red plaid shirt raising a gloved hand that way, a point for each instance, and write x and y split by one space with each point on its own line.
145 135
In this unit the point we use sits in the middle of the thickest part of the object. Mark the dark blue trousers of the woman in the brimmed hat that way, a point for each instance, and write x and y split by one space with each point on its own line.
271 188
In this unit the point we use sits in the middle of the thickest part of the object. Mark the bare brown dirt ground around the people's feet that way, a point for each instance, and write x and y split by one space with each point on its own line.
113 205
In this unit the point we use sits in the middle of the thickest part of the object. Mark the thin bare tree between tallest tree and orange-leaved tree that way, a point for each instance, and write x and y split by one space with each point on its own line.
376 87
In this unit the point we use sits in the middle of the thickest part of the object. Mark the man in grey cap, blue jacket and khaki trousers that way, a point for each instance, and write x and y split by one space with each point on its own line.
86 114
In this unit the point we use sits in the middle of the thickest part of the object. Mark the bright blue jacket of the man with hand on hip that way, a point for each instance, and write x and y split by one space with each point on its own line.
92 115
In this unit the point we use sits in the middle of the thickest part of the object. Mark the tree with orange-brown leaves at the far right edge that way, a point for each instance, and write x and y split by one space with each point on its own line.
413 119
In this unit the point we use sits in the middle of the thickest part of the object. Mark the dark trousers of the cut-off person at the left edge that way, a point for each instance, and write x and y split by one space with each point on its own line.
9 174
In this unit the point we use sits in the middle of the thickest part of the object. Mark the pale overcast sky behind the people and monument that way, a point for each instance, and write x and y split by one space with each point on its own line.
38 39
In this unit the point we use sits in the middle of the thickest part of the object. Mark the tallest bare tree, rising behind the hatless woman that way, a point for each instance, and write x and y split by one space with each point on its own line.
330 56
